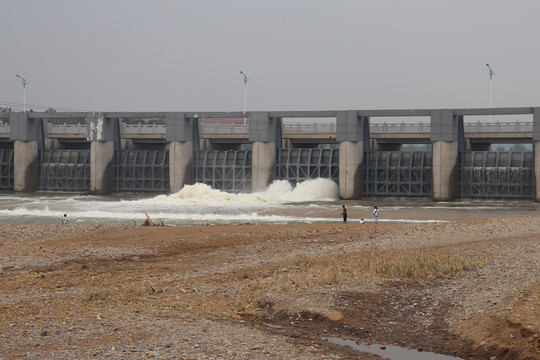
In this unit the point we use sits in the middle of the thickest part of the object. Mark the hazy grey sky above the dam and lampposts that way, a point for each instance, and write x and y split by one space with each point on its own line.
112 55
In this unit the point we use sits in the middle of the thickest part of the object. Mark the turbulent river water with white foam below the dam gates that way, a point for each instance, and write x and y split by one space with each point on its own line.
313 201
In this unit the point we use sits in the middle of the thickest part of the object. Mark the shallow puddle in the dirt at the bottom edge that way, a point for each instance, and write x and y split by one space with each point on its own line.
389 351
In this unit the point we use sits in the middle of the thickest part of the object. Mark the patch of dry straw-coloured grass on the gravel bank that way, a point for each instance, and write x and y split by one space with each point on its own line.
311 274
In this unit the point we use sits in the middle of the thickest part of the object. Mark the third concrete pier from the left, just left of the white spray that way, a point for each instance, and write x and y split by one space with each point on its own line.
181 132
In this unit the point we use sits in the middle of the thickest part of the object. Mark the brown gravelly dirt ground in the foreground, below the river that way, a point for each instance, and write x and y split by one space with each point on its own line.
199 292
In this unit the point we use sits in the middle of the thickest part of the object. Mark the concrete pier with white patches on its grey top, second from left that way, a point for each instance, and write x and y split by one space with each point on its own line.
100 132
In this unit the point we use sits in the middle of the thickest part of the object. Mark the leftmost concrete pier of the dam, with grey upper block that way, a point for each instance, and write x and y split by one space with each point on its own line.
25 133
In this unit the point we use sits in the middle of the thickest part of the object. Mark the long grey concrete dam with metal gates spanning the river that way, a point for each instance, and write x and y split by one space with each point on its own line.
104 152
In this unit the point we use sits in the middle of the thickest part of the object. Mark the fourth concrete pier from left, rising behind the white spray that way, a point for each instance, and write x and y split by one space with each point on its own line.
264 134
